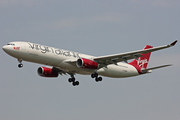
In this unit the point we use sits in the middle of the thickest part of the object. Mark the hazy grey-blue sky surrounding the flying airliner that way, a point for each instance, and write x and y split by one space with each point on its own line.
98 28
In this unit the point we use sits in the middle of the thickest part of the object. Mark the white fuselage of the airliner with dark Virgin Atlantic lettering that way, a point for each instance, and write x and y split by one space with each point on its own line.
60 58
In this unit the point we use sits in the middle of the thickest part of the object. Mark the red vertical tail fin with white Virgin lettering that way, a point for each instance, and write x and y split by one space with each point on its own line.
142 62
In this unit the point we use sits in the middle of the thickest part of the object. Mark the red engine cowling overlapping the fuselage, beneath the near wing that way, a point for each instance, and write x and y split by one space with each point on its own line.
86 63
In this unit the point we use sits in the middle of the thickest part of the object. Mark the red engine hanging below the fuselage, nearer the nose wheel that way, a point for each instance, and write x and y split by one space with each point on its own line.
47 72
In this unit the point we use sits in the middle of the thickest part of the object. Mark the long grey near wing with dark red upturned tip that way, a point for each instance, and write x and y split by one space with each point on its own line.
113 59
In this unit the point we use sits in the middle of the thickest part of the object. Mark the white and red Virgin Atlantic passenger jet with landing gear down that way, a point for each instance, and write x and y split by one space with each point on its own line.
67 62
